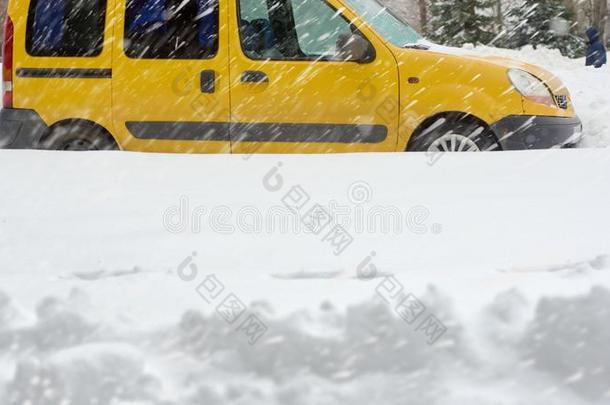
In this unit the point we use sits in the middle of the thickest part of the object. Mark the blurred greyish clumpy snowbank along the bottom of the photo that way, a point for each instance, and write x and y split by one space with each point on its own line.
374 357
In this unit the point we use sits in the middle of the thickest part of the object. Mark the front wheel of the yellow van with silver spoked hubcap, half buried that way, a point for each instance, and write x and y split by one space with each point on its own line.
454 134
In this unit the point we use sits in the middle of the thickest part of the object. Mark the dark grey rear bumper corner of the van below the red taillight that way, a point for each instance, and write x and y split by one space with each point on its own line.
20 129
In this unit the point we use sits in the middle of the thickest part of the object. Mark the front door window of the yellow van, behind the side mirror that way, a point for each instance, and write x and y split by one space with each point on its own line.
298 30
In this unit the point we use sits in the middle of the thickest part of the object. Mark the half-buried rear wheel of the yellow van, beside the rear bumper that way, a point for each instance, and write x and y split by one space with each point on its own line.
79 138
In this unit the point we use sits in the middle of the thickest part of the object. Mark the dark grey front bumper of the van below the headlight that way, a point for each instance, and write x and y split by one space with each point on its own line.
519 132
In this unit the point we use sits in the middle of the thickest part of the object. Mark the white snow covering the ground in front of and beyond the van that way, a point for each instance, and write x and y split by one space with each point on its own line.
482 279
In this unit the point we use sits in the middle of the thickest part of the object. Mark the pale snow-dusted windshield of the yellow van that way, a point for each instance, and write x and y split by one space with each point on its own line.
387 24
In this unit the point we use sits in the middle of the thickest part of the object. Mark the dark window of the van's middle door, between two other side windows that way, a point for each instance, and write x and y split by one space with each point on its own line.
171 29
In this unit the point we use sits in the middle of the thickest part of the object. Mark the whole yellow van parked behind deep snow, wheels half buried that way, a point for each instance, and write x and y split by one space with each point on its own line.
268 76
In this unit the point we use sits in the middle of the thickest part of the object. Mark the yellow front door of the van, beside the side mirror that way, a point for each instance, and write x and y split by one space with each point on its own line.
293 91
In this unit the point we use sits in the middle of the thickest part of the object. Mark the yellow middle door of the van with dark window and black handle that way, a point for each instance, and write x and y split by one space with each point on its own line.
170 79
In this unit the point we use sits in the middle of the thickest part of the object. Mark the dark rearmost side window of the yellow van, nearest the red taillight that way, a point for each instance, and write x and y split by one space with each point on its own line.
66 27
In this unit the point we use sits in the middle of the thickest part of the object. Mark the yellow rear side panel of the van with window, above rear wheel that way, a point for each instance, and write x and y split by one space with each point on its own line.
62 58
